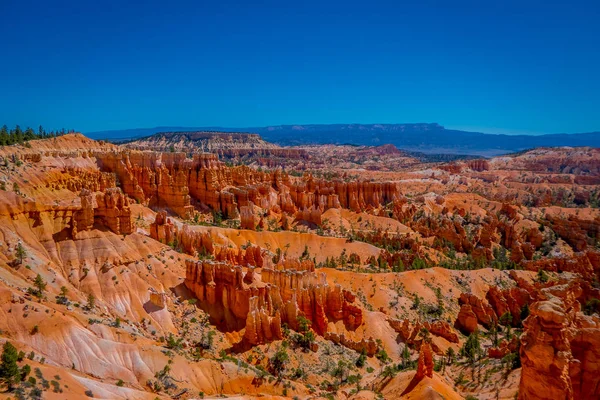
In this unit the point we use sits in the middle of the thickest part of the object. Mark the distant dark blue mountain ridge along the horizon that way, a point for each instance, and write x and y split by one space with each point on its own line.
423 137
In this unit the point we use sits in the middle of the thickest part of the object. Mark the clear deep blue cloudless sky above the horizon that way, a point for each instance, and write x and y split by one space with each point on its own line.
499 66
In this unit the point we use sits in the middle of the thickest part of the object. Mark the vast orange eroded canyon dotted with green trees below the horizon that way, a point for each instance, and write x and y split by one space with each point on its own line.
201 265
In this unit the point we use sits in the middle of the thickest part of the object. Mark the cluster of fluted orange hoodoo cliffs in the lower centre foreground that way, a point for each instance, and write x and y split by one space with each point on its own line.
261 302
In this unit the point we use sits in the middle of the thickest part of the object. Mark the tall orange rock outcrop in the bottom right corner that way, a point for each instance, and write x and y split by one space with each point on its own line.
560 348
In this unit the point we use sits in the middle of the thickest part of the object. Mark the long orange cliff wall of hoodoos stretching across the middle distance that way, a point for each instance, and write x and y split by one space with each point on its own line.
173 181
